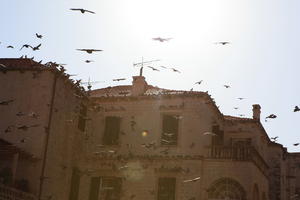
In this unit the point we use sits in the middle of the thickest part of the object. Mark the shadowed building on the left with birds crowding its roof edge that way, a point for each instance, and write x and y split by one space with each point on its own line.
40 129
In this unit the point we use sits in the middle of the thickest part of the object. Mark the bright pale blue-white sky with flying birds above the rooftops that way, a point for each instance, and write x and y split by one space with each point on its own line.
261 63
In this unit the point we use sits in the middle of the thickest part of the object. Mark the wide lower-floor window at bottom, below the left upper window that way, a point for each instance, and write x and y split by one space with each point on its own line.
105 188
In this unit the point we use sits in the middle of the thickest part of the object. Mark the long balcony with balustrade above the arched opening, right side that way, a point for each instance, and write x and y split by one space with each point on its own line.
245 153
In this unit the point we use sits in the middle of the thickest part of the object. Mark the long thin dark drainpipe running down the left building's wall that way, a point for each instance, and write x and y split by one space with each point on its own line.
47 137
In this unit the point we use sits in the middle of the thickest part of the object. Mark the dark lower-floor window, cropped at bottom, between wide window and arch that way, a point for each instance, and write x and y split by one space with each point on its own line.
166 188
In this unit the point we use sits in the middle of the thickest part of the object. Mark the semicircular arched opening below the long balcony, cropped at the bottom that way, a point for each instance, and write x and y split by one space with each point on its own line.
226 188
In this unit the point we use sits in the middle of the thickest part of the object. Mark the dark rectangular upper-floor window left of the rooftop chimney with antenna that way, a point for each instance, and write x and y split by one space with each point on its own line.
112 130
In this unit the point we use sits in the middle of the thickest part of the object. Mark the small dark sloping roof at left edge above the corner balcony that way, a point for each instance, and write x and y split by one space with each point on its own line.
7 150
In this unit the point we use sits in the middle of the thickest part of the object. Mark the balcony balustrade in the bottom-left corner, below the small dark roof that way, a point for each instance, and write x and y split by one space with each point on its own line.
9 193
